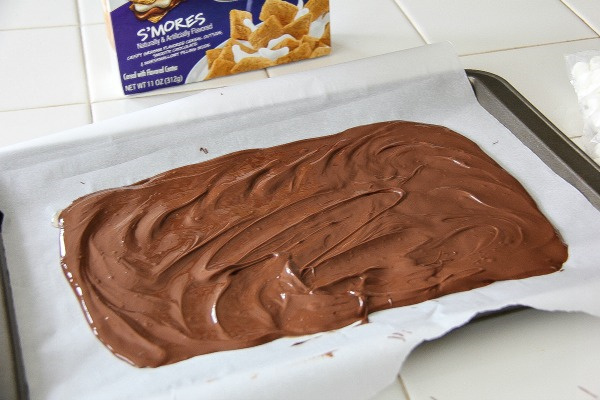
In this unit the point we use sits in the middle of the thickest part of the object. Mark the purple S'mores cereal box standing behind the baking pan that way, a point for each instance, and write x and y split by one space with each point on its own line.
161 43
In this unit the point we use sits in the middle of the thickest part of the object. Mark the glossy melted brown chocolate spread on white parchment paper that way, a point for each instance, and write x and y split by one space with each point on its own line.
295 239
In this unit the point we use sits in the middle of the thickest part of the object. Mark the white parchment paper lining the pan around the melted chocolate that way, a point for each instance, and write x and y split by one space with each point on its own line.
62 357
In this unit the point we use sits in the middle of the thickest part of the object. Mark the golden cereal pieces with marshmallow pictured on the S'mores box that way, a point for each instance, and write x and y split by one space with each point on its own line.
285 33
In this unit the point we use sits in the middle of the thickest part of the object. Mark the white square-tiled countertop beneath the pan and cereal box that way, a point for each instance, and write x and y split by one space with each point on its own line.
57 72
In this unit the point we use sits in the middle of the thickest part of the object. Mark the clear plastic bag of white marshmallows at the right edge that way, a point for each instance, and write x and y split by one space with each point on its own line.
584 72
